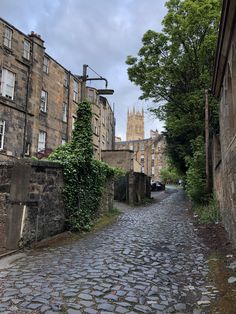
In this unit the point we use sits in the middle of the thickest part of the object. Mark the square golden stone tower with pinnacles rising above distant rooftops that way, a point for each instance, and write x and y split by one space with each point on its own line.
135 125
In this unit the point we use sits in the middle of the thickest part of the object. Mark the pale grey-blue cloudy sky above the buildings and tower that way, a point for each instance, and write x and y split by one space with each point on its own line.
100 33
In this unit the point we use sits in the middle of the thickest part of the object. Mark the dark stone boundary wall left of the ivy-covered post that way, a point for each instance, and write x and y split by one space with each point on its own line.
31 206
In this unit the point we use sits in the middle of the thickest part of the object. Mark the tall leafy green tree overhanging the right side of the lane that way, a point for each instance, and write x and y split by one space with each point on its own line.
174 67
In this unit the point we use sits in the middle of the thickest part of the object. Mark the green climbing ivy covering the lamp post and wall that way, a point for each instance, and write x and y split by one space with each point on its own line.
84 176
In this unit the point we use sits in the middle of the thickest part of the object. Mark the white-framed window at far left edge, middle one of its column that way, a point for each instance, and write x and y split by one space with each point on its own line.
7 83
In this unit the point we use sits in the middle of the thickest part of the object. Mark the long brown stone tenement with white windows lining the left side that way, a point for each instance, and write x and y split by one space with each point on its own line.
39 98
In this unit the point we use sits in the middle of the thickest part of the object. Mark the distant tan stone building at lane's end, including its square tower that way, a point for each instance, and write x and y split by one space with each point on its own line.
149 153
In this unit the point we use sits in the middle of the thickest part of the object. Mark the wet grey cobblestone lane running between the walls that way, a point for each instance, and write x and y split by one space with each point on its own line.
150 261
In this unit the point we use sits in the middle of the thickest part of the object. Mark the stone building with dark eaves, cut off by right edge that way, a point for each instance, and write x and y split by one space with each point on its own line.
224 141
